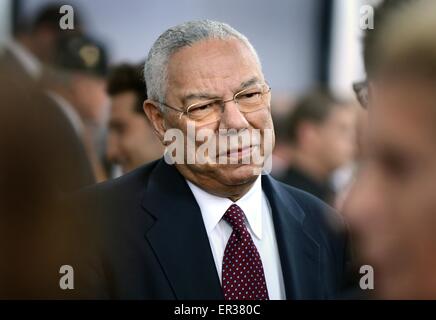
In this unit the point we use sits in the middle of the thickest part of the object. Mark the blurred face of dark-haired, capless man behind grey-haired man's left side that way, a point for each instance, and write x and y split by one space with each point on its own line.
131 140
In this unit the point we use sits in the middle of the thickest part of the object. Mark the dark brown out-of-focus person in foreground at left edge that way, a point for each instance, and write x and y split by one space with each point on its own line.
41 162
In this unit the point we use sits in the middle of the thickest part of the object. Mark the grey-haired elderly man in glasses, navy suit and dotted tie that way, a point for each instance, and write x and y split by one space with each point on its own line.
211 229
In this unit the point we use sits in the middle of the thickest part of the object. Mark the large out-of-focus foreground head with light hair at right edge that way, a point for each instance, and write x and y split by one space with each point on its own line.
392 206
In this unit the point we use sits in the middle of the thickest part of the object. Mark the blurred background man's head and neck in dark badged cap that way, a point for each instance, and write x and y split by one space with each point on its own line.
76 83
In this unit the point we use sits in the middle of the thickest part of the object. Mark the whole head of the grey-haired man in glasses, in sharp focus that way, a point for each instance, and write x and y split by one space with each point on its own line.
194 64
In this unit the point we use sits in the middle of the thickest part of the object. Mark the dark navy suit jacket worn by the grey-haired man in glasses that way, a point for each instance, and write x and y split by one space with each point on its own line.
153 243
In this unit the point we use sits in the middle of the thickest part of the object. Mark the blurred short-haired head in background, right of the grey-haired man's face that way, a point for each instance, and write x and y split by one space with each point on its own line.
323 128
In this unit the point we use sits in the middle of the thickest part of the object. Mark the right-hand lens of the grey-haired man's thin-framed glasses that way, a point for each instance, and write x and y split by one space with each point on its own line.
253 99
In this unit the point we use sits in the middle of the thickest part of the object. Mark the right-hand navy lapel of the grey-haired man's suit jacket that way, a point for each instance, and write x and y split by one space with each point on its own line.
299 252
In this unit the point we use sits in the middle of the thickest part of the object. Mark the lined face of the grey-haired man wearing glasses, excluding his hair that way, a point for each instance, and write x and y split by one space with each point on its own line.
208 70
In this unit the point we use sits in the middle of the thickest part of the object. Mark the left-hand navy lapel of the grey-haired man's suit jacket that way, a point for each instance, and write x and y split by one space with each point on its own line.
178 236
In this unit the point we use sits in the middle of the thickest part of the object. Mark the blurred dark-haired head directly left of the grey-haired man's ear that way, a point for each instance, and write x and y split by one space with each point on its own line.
131 140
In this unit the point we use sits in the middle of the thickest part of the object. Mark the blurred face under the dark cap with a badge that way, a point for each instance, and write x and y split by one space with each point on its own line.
90 97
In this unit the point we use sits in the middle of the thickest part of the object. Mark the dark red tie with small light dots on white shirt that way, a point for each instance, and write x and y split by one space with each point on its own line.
242 274
